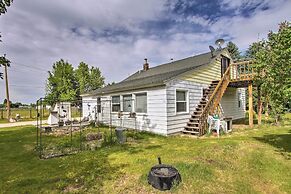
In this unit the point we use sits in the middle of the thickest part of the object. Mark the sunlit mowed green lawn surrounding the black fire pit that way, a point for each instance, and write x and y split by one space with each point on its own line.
246 161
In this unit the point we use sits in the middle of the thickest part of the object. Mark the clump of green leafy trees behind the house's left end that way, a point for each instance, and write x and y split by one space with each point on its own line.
65 83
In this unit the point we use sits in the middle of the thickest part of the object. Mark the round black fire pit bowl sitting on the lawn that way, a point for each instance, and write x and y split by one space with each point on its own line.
164 177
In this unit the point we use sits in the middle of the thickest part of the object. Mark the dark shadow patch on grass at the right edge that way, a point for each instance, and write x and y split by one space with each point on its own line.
280 141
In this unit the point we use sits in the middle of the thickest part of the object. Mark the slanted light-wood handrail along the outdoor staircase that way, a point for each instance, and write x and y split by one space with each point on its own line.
205 110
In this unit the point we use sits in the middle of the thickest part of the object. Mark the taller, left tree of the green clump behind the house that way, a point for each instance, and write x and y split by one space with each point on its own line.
61 83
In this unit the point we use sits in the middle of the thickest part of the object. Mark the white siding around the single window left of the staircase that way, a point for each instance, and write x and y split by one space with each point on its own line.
177 121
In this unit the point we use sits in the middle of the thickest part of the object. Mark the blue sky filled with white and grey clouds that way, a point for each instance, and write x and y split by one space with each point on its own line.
116 35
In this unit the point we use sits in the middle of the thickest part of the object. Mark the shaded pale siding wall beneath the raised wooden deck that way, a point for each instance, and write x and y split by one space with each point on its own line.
229 103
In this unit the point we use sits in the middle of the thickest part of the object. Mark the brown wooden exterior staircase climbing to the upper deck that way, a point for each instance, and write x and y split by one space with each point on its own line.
197 124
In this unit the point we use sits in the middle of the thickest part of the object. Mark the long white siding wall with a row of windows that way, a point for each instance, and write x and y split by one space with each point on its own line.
155 120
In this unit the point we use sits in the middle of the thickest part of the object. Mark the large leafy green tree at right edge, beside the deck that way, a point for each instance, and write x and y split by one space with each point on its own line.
273 63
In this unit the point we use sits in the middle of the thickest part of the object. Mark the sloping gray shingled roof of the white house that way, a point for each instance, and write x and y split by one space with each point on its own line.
156 76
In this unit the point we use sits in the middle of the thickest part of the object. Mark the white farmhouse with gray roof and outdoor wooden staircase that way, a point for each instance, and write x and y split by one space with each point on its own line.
172 97
